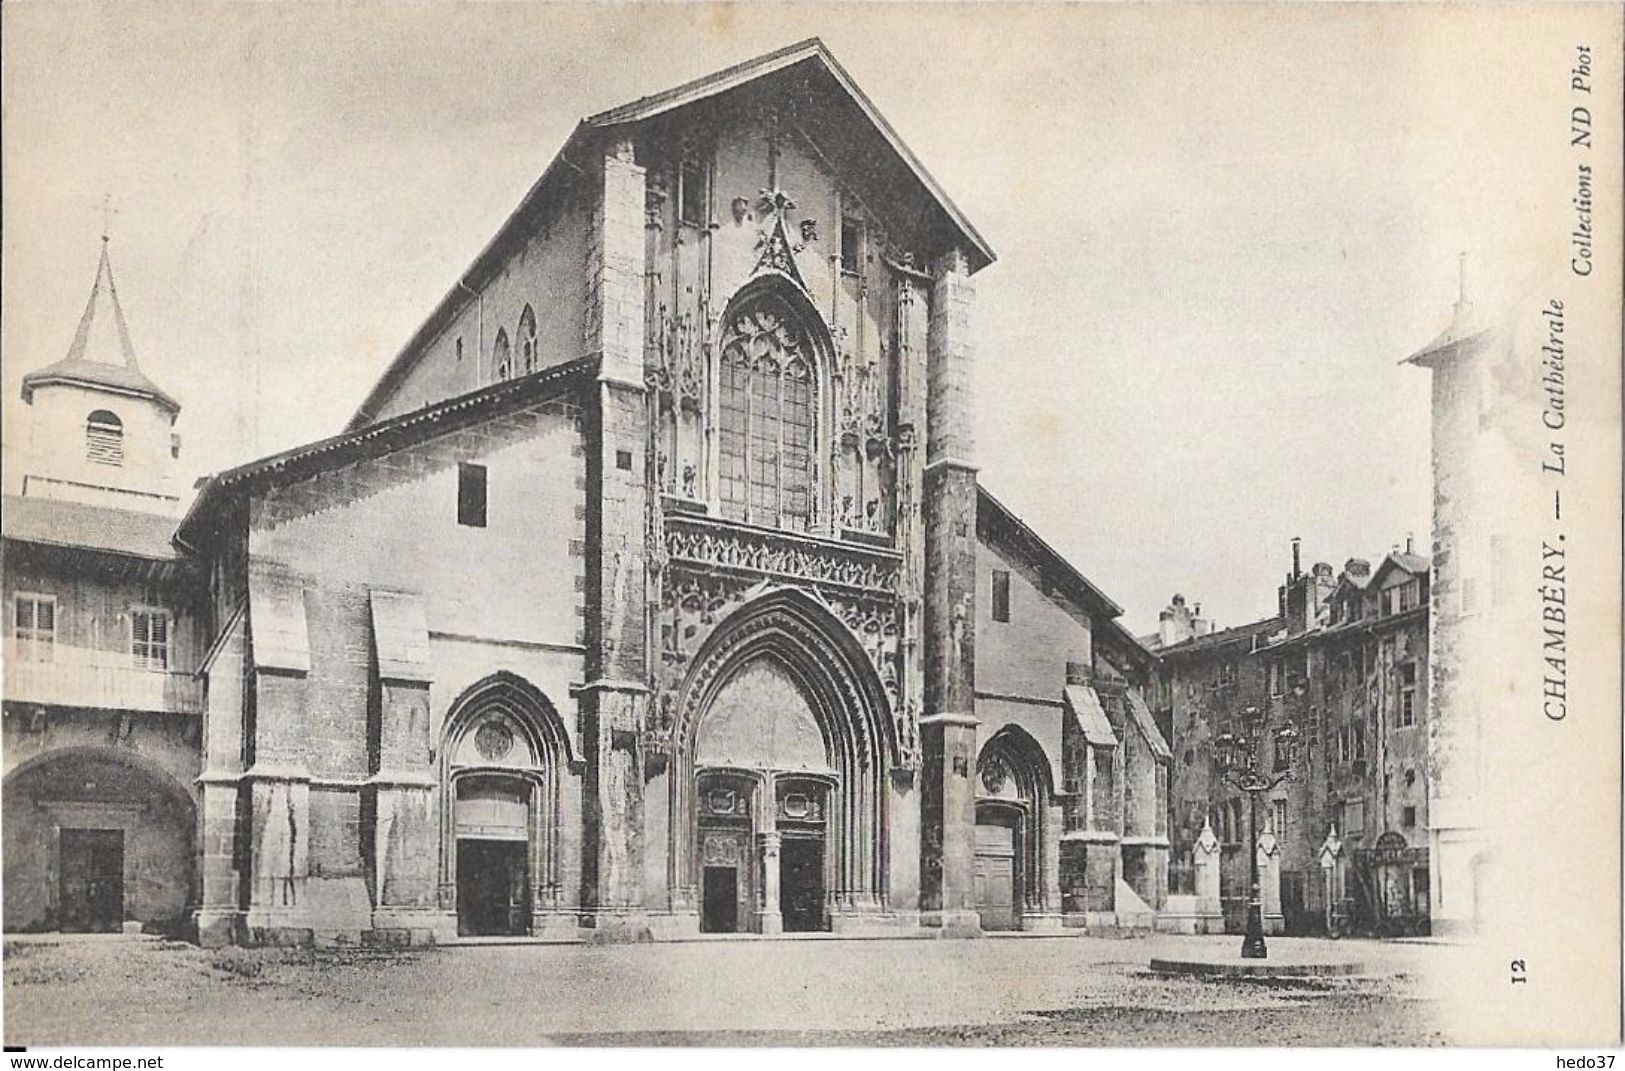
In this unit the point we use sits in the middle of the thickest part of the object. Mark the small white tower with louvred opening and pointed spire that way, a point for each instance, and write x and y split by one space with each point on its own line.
102 433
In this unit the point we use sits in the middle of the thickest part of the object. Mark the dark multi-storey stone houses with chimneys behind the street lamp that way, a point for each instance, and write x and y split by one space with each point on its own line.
1345 662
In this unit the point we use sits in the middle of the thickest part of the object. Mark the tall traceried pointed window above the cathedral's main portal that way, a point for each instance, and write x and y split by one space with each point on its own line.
768 428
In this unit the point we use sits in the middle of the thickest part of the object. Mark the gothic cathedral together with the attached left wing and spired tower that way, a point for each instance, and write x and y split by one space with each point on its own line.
649 592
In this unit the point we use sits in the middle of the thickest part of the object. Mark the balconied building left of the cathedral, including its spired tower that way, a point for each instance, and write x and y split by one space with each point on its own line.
105 627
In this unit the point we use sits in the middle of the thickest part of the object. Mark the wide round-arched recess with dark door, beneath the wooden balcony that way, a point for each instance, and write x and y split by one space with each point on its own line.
97 838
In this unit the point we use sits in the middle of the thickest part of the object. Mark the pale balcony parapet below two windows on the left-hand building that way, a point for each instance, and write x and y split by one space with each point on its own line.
76 677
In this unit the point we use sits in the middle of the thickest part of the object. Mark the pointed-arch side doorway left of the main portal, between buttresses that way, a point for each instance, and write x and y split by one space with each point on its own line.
503 755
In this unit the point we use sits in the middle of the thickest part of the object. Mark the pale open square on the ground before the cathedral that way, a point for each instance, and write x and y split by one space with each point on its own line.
1018 991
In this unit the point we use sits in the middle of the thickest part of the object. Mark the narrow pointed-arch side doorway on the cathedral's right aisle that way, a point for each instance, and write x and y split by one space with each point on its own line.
1013 838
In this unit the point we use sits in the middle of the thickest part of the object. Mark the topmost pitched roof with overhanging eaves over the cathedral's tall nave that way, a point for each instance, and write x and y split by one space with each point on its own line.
810 56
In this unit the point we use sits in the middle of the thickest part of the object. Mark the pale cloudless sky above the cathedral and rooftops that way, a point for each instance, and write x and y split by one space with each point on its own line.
1220 230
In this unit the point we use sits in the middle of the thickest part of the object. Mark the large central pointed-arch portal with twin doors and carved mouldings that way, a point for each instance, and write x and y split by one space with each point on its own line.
781 748
